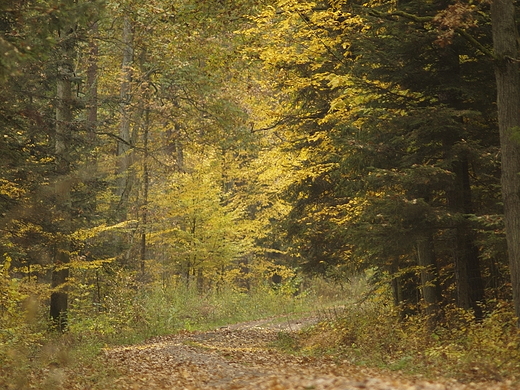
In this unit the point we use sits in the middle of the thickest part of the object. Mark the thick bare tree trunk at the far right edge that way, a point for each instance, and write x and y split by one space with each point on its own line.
505 43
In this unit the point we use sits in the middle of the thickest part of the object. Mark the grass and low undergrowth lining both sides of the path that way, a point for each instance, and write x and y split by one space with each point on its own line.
370 333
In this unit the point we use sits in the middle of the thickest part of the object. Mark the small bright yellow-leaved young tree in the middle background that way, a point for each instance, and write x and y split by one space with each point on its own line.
194 226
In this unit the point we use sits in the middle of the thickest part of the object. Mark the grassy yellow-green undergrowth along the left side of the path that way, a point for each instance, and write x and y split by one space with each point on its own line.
31 356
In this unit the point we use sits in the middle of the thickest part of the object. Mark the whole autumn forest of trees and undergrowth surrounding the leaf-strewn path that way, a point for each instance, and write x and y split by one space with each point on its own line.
174 165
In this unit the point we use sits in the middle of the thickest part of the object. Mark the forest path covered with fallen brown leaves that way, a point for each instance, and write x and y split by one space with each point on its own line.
242 357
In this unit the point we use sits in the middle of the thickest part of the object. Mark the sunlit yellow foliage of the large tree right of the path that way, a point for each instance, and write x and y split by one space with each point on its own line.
368 123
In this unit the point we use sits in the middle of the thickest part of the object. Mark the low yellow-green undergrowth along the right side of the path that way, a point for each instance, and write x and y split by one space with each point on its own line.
375 334
